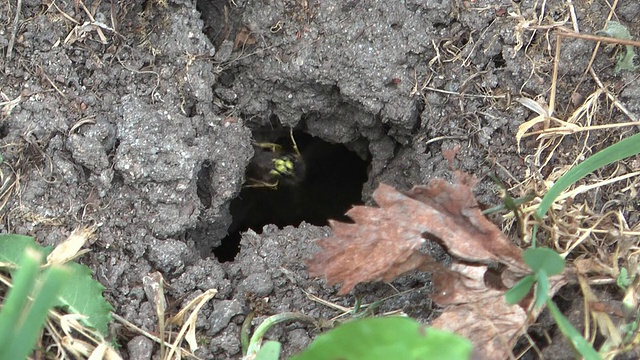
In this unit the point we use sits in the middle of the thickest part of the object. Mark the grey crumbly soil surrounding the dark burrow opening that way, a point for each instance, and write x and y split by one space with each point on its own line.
142 123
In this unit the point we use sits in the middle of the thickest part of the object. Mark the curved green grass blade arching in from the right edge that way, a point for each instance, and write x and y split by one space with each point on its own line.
618 151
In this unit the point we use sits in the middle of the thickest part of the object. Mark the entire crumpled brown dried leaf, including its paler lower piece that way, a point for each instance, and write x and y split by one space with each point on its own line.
384 242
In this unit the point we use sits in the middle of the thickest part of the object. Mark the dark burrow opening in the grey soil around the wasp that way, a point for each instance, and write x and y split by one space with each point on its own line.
328 181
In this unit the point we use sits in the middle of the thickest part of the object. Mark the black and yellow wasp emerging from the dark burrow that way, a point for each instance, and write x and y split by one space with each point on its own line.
274 164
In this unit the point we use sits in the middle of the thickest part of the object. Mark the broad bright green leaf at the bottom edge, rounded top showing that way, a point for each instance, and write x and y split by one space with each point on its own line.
386 338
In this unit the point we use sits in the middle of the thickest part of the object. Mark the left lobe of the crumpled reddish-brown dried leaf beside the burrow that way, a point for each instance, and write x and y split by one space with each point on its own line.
379 246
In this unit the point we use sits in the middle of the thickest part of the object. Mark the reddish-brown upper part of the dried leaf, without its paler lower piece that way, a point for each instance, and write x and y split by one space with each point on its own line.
383 243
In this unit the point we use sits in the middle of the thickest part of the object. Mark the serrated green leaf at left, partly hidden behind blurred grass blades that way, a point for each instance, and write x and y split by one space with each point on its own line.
83 295
